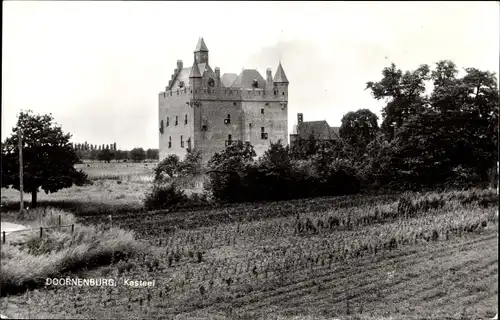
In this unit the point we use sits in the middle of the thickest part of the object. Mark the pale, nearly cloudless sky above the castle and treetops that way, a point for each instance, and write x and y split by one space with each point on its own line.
98 67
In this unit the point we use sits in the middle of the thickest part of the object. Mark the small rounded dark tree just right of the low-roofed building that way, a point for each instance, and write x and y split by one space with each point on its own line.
359 128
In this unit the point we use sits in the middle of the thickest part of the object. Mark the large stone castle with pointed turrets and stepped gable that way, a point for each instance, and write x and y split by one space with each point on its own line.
202 109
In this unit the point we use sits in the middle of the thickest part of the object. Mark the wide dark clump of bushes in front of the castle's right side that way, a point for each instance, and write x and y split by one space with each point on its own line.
235 177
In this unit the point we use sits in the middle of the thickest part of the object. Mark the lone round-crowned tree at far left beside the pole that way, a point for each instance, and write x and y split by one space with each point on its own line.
48 158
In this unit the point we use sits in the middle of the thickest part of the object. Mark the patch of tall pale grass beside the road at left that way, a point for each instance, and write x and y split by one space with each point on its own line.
27 260
